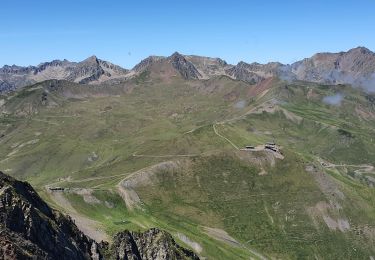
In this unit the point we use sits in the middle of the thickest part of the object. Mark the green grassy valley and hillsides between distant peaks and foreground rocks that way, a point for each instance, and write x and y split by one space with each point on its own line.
160 150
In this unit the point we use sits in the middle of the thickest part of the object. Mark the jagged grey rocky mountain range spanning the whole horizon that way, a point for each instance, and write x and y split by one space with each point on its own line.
356 67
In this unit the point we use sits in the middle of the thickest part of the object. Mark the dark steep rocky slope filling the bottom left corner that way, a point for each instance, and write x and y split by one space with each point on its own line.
31 229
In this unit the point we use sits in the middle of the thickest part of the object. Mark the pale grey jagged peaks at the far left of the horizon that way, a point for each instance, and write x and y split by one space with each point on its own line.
91 70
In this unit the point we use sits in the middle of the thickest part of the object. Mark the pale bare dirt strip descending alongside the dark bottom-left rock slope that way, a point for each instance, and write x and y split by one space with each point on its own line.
89 227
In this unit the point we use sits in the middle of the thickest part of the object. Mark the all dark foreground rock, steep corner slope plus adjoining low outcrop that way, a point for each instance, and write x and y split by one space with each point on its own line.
30 229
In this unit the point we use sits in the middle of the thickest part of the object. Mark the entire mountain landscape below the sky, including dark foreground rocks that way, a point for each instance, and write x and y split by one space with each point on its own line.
186 156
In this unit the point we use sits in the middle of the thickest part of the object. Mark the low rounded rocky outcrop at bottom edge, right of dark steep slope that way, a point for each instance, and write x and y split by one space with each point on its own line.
152 244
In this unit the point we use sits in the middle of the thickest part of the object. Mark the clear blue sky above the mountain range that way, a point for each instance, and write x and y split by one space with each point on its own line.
124 32
